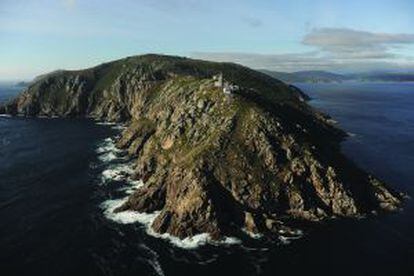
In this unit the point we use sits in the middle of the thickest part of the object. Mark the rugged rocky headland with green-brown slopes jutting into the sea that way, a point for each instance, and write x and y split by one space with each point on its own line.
213 162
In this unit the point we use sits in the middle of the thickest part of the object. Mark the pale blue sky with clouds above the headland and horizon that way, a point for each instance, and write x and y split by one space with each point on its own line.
39 36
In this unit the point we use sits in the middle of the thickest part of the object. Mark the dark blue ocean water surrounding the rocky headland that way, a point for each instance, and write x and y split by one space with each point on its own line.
52 189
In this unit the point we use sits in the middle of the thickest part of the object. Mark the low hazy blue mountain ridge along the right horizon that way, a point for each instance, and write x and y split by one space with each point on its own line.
328 77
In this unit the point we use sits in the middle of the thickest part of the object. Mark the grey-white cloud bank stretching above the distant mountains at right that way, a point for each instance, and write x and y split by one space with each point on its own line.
334 49
